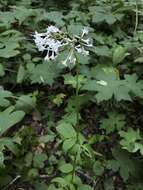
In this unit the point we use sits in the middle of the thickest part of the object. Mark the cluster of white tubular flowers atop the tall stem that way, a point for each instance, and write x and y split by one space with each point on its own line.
52 41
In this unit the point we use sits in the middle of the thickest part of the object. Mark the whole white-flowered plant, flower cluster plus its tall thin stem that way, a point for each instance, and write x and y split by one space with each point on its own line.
54 41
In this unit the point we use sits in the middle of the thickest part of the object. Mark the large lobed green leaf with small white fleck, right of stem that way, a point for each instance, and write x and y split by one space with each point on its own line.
108 85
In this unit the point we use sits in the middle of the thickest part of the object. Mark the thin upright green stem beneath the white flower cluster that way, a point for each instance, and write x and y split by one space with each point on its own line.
77 114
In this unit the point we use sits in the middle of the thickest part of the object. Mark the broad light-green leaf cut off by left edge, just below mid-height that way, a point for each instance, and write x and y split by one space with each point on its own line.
8 118
